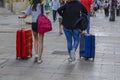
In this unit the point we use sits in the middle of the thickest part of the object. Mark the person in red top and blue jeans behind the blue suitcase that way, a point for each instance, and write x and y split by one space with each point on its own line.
88 4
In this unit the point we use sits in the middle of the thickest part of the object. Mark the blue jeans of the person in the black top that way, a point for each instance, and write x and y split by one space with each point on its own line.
73 37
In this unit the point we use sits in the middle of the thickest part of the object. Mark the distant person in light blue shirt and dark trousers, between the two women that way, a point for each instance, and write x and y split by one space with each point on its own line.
55 5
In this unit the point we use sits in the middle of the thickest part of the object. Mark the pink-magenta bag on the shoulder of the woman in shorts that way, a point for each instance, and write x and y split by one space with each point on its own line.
44 24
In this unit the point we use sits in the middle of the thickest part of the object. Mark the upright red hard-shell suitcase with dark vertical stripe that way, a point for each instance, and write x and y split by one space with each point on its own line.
23 43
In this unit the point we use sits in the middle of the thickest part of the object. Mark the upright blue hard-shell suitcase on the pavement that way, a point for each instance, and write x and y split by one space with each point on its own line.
87 46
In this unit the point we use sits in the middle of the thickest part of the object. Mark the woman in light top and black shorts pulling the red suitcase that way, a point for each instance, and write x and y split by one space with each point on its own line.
35 9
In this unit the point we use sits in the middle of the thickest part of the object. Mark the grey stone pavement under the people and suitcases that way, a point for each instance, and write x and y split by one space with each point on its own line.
55 66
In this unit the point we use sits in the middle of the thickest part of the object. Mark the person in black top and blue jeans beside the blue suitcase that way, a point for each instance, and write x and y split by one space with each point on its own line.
70 12
